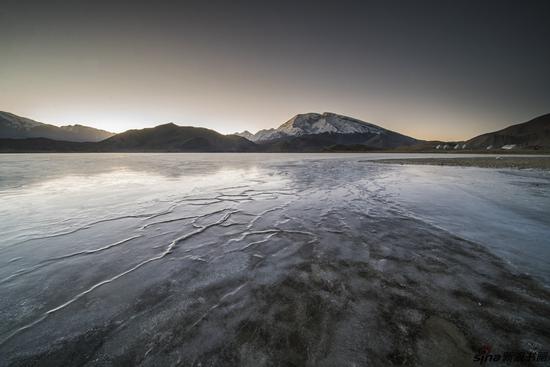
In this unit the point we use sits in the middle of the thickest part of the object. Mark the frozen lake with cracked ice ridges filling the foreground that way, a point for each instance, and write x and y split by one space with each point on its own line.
143 258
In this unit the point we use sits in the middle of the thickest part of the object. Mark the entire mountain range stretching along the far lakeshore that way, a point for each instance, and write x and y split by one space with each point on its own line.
311 132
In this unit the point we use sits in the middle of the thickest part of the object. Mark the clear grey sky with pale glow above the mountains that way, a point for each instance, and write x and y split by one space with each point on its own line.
441 69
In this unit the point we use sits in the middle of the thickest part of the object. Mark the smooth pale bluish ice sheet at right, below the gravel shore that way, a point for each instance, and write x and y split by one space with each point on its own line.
508 211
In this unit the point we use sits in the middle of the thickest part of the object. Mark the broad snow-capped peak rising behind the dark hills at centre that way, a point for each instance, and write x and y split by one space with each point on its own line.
315 123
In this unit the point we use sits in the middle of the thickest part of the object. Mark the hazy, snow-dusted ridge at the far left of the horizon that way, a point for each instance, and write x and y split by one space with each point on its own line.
16 127
